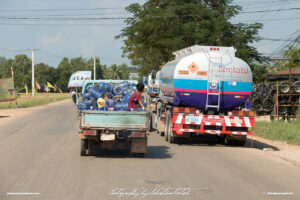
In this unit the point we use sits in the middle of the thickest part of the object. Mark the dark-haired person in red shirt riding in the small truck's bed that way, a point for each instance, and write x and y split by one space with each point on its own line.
135 100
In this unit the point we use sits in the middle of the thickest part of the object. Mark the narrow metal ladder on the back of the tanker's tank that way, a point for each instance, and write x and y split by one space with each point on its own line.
214 63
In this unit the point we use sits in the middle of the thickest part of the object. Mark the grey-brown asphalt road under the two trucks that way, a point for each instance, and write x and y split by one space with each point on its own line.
39 157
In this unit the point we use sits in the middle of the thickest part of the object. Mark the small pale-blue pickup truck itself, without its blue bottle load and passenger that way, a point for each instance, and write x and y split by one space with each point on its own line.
113 129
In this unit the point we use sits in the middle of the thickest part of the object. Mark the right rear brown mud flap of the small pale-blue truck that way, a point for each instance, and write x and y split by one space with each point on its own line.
138 142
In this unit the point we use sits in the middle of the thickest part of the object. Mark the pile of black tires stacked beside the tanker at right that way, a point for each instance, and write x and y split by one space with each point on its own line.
263 97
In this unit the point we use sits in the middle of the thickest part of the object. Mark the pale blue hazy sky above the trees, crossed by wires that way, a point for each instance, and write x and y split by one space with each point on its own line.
65 37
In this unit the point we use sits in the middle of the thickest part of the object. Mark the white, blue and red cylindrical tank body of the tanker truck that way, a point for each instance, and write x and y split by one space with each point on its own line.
199 70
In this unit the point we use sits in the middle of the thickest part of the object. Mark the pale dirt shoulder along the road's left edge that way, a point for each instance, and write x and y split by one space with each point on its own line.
11 114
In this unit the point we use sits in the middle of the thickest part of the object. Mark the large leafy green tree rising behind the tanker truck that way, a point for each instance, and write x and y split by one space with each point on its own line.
159 28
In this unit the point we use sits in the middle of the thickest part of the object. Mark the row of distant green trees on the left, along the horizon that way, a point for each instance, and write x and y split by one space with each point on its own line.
59 76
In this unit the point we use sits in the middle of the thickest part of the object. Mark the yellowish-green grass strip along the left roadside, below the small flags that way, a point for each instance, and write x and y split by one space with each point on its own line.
38 99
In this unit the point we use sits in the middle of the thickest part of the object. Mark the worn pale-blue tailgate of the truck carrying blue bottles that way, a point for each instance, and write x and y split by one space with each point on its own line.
114 119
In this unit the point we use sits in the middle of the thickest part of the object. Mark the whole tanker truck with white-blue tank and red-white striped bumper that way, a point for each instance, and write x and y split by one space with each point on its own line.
205 90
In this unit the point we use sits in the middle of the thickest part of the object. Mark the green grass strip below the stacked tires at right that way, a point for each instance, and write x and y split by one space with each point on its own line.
279 130
